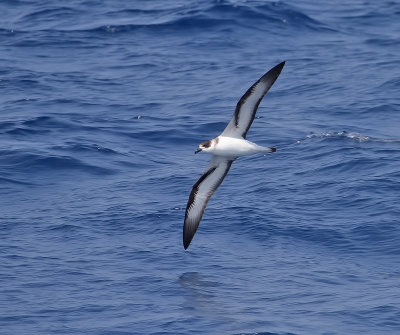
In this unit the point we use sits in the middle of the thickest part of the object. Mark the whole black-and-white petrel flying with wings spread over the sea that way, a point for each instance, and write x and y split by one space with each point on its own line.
225 148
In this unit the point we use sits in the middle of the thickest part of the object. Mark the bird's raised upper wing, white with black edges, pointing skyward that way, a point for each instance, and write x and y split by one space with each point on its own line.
247 106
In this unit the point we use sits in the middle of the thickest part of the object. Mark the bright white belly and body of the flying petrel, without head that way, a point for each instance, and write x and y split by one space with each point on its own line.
235 147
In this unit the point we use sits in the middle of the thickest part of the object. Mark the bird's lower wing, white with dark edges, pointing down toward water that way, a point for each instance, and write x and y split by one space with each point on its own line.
201 192
